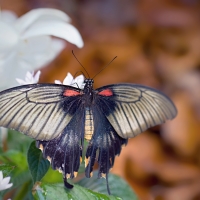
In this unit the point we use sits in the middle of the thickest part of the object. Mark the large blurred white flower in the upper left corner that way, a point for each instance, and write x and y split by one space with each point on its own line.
26 43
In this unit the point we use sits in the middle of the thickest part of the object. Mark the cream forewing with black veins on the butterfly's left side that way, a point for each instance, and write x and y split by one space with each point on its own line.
40 111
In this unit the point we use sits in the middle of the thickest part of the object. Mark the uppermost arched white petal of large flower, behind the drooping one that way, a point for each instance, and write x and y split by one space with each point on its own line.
38 14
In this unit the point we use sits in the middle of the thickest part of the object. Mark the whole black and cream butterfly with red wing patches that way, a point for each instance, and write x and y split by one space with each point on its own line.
59 117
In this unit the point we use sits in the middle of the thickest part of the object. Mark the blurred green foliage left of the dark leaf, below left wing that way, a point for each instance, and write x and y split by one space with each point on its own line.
16 156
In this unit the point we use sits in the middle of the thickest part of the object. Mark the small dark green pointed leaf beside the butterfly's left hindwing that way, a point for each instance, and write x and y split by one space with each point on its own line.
38 165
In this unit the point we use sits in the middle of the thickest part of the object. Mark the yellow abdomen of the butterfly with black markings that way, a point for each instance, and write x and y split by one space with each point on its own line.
89 123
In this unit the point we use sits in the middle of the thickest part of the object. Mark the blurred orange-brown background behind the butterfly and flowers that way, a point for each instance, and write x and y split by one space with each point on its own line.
157 43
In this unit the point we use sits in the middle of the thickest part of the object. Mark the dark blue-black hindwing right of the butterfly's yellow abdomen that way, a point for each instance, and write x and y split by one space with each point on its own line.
106 142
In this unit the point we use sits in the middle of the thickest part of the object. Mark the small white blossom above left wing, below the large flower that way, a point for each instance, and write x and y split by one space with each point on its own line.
30 78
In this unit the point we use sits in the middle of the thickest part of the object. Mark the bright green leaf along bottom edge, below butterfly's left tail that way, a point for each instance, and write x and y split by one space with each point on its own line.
58 192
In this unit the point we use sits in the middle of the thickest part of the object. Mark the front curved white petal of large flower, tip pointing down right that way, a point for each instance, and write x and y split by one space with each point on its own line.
55 28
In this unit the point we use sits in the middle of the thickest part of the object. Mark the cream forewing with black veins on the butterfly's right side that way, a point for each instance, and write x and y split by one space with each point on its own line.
131 109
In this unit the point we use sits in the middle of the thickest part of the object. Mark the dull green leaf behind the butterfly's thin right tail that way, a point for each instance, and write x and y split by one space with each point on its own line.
118 187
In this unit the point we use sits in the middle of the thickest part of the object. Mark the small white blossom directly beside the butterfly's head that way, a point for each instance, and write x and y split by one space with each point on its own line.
69 80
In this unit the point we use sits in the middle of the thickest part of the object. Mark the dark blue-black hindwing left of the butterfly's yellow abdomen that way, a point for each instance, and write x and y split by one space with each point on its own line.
65 152
